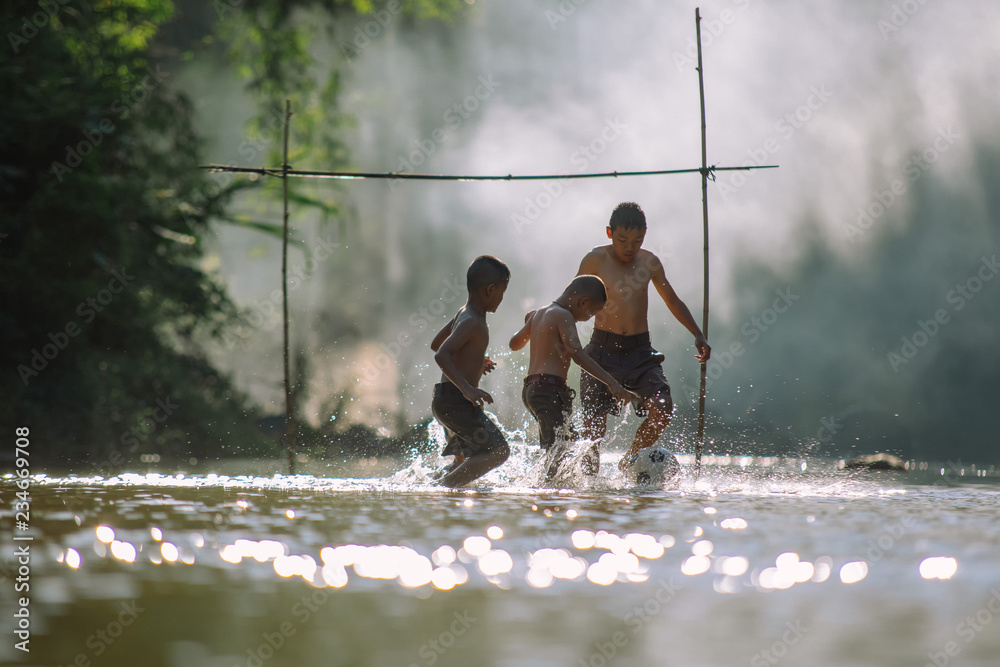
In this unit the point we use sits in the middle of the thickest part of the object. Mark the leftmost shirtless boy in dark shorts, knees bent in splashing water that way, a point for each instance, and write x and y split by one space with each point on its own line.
460 350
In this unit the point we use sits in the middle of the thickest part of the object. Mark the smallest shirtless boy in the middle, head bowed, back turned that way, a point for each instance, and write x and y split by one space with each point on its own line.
554 341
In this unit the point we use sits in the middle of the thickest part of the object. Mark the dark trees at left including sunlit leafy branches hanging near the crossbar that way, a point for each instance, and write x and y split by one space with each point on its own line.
107 302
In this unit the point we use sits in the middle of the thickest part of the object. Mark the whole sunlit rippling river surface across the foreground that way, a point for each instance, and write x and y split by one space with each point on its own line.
752 562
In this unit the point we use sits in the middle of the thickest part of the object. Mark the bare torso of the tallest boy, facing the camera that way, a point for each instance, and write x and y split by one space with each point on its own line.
628 289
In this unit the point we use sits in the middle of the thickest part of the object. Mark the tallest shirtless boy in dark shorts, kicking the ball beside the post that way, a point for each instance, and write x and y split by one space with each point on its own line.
620 343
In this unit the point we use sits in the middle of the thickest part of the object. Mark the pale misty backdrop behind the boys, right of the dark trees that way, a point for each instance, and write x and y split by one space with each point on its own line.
848 99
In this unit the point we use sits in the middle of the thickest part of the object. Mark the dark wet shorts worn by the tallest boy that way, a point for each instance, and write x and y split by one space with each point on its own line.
634 363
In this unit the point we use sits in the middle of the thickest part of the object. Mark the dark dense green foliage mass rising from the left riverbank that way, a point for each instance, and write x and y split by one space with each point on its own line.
105 211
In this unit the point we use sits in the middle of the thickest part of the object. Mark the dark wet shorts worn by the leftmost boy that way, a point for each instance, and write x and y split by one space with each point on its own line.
468 429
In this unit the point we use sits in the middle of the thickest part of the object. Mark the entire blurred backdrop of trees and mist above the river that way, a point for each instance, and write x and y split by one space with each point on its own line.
853 290
